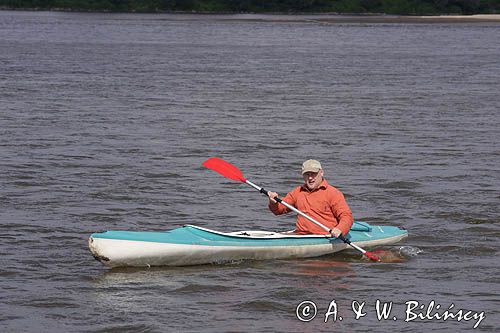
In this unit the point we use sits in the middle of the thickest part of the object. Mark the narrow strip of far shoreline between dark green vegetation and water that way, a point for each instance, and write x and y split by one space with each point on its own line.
326 18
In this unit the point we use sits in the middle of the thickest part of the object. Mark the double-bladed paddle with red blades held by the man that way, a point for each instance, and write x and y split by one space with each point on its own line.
229 171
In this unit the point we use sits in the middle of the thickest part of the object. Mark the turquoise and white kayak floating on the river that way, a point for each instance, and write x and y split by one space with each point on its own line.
193 245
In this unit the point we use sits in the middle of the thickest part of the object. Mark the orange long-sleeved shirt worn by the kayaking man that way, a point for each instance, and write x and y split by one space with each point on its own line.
326 205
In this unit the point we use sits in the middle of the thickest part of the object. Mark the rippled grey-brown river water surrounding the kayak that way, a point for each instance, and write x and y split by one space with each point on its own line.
106 119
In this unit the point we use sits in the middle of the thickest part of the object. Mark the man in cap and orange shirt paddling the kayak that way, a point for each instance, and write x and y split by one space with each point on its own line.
318 199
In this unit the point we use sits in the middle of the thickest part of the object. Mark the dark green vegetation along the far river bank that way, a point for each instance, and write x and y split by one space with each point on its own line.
396 7
